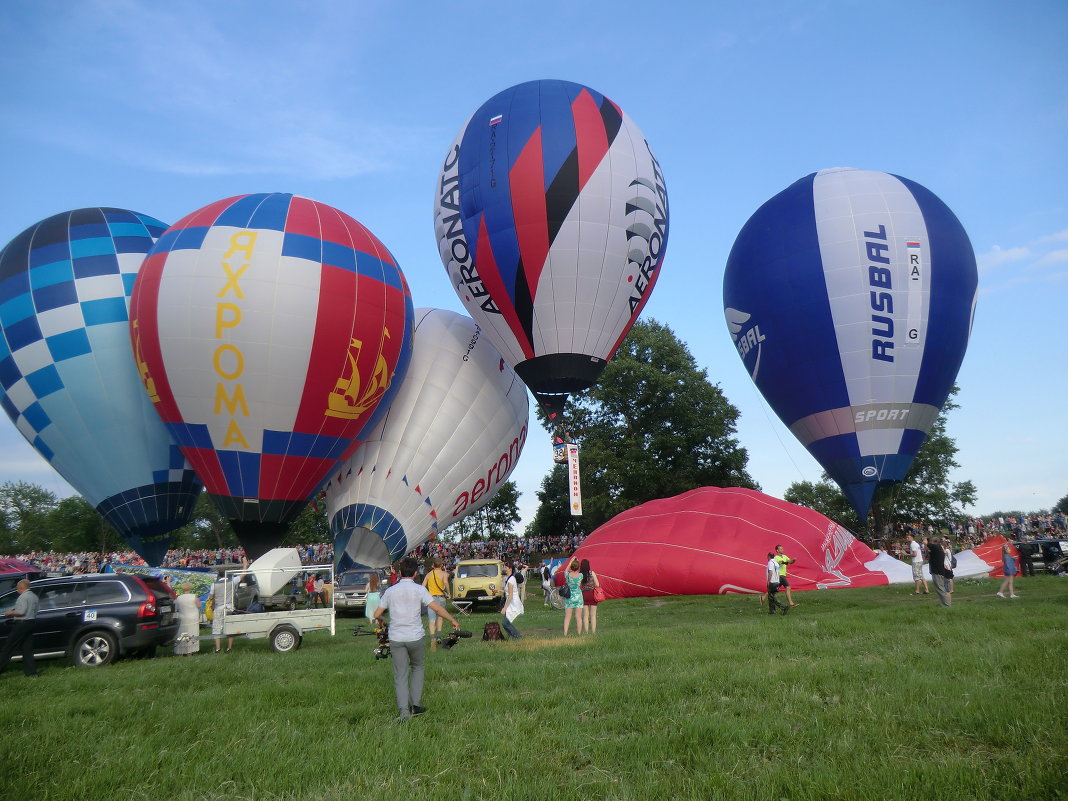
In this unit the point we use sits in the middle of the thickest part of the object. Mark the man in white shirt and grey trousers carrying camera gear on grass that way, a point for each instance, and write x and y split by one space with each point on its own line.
405 602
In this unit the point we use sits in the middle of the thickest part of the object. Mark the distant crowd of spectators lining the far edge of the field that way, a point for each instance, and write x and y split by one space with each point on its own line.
966 533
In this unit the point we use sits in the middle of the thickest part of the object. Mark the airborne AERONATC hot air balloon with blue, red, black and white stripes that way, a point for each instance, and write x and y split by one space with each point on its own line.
552 219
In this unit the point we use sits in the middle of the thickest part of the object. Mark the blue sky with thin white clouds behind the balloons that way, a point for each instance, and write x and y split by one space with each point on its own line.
165 107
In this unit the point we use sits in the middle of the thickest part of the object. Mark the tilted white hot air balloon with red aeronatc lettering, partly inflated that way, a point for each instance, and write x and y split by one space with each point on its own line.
451 438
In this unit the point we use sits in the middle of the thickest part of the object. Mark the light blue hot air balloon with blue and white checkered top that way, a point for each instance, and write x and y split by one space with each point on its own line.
68 373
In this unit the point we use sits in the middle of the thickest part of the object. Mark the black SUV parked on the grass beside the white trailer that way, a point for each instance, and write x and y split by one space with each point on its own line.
92 620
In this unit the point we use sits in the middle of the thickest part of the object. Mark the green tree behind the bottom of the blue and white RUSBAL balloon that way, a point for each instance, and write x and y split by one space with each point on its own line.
928 495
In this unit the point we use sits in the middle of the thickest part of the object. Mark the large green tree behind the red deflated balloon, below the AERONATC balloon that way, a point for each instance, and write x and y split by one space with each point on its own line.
653 427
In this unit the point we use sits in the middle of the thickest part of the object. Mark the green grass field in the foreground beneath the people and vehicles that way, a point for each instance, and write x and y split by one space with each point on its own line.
857 695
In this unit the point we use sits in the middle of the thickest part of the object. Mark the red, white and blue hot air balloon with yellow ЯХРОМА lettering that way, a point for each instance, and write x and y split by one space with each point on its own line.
269 329
